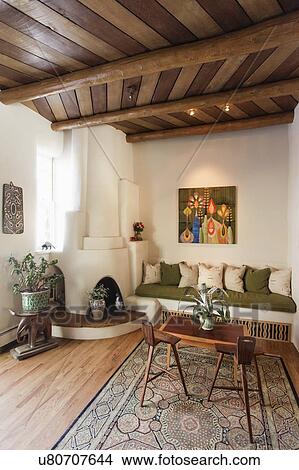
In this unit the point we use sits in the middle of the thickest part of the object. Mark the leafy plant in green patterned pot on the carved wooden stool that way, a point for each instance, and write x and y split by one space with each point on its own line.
34 283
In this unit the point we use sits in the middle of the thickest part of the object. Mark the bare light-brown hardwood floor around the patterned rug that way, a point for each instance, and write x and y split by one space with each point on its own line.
41 396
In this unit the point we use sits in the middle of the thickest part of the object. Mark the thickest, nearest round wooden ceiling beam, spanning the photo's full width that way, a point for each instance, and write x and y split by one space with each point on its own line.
268 34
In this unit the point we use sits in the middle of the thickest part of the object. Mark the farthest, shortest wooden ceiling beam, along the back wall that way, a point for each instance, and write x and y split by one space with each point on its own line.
238 125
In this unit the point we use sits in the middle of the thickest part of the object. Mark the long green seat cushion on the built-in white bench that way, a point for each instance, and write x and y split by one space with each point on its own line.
274 302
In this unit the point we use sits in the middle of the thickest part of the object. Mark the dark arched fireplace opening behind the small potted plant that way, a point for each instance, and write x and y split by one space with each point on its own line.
114 300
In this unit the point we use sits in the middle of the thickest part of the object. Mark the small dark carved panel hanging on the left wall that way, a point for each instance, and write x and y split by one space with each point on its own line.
13 216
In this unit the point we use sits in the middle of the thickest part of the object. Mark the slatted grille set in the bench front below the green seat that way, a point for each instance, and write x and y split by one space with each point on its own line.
257 328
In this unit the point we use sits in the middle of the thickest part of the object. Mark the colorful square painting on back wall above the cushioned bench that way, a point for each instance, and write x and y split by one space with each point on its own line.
207 215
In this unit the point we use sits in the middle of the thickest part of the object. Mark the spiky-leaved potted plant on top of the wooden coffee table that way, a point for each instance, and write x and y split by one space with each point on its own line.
209 304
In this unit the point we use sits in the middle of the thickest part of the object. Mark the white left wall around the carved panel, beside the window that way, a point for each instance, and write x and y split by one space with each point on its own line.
22 134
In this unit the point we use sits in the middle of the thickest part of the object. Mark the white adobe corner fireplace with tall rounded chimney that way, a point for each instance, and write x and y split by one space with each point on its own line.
96 177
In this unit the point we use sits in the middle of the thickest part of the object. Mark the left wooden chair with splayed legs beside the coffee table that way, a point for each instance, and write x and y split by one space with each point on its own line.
152 337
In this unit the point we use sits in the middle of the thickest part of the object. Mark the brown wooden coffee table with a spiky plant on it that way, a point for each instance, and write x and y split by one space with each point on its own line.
192 335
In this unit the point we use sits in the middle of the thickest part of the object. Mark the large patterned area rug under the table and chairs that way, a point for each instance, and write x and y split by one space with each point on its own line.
115 420
